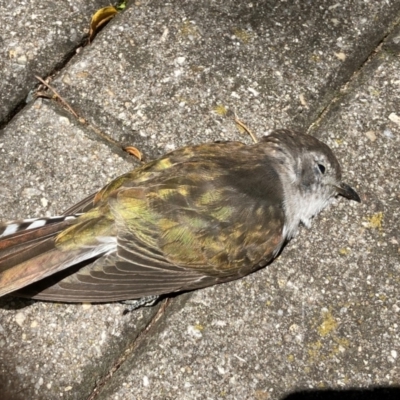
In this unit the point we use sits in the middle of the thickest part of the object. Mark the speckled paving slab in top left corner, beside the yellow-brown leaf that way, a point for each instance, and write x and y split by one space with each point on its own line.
36 38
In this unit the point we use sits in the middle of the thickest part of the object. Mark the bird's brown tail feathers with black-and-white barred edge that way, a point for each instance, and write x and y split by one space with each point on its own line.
28 251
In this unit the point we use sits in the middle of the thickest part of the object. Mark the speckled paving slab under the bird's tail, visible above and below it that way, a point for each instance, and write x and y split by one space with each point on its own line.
47 163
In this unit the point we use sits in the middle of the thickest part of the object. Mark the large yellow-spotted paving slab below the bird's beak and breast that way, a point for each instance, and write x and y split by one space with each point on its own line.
326 314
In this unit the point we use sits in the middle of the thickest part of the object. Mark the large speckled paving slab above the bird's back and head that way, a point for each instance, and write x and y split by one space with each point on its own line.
160 70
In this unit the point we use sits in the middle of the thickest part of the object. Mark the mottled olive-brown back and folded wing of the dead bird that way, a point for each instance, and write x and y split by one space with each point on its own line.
186 221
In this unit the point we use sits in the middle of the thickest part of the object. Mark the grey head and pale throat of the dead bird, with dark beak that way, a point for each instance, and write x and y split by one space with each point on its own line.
310 175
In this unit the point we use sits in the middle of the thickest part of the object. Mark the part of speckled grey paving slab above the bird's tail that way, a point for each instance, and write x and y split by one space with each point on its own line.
54 163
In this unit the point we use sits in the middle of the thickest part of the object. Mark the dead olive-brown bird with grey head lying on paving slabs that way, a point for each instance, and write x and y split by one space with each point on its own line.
198 216
